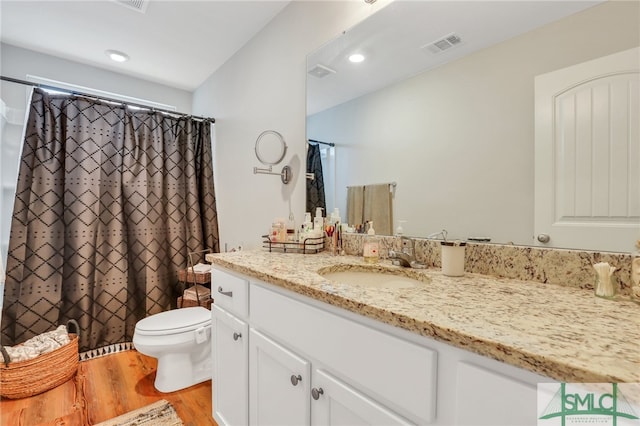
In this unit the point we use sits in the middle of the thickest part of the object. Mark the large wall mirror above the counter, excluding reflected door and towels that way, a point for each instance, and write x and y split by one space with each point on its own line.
443 105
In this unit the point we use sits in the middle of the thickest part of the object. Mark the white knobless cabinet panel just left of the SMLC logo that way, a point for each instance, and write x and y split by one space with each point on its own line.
484 397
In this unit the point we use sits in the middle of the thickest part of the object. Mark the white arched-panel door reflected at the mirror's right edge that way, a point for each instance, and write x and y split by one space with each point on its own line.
587 154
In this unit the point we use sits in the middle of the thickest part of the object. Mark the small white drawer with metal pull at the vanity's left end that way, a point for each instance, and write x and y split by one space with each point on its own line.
230 292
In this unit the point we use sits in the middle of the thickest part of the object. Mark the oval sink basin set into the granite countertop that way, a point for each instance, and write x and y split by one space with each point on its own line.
375 277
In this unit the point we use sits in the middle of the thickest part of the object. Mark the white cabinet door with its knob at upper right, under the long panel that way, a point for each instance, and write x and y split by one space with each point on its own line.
278 384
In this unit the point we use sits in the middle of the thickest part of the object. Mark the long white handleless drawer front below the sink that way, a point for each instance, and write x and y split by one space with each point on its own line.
398 373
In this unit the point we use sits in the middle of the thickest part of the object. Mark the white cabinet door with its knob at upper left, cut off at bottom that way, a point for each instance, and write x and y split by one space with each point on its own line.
339 404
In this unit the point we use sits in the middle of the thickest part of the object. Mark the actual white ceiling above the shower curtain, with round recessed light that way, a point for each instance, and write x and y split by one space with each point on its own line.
178 43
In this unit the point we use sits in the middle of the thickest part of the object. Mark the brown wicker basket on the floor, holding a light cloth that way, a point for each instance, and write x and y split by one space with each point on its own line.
31 377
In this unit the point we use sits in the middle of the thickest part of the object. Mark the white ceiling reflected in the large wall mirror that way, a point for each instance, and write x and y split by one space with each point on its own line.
394 40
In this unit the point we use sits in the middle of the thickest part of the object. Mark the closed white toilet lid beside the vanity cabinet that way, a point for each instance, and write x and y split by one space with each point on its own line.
175 321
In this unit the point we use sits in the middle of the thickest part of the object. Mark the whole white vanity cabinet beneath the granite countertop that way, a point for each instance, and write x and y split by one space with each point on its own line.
303 362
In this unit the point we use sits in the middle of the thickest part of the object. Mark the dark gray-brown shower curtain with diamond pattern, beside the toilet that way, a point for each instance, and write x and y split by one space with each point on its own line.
109 203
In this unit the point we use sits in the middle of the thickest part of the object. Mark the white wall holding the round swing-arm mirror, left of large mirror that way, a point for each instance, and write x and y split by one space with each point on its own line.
262 88
